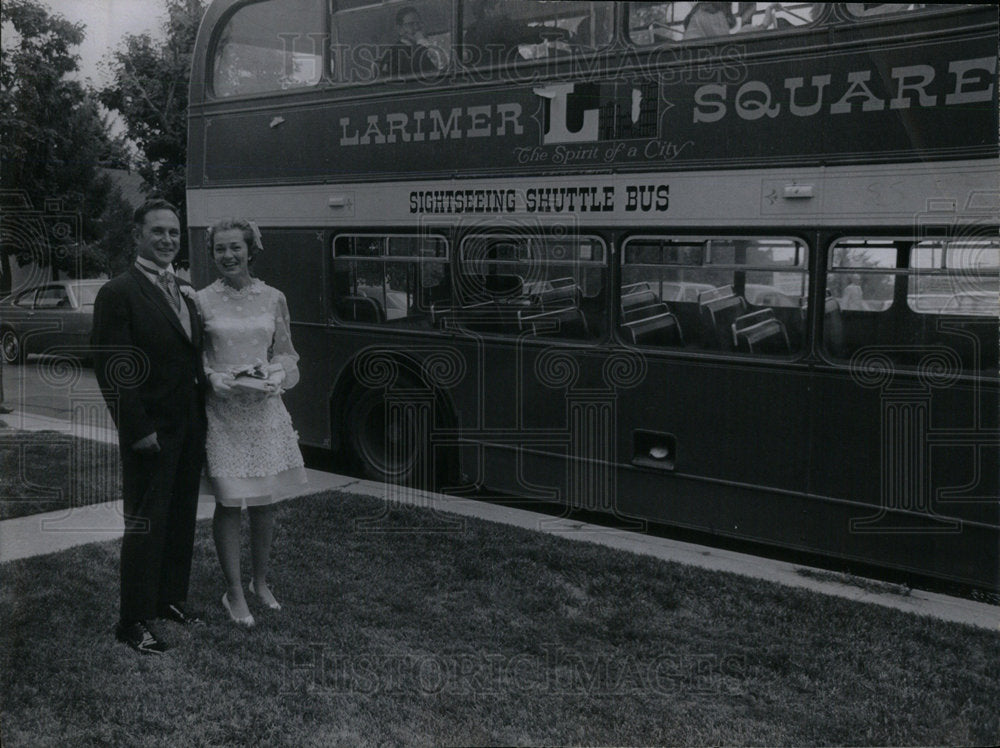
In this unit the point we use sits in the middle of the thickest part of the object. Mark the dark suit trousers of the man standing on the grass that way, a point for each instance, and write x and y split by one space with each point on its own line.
160 497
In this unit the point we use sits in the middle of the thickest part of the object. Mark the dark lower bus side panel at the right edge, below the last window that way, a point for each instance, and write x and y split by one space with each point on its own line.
920 466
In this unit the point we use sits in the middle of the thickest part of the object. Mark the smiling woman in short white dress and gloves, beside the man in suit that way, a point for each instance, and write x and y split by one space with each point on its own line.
252 450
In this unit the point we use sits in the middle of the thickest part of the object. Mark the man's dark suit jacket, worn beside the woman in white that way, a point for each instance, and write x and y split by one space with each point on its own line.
147 367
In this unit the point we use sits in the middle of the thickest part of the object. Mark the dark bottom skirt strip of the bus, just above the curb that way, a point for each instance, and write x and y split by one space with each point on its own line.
810 524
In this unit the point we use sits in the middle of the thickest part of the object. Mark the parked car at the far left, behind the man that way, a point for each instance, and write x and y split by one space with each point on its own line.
55 316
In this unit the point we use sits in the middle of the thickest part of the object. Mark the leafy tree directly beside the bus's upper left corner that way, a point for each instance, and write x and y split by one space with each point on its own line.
149 90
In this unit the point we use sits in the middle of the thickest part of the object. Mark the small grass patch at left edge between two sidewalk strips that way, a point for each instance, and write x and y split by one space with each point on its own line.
42 471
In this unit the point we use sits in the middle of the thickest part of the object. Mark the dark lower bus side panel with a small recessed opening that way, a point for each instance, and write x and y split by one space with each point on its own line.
720 422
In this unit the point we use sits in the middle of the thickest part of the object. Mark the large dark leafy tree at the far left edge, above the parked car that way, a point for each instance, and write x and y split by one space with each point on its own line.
53 141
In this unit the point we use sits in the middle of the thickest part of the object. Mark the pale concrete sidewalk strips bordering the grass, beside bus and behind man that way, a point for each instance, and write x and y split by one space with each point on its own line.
55 531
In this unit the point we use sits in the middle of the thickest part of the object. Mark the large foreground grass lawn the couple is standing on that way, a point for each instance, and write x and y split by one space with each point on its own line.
486 635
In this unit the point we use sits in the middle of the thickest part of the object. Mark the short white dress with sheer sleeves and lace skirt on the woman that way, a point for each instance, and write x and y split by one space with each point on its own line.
252 449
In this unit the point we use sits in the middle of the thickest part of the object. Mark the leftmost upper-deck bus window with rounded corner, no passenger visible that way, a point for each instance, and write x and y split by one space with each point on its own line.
270 46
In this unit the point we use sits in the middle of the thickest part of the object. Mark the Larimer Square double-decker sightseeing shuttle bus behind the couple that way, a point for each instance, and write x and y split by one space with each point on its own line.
729 267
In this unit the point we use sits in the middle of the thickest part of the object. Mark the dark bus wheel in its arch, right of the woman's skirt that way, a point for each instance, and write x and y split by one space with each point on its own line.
387 446
